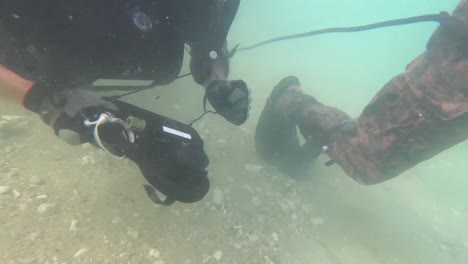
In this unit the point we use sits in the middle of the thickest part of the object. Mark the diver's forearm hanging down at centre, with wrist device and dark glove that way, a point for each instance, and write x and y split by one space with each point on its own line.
210 64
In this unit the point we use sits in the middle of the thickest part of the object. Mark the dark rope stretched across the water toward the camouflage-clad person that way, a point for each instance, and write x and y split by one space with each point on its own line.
389 23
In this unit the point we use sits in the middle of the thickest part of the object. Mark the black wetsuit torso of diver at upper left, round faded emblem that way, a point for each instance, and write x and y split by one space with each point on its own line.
83 40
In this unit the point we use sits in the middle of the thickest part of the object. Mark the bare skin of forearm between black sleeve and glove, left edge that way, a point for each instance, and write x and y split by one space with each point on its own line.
13 86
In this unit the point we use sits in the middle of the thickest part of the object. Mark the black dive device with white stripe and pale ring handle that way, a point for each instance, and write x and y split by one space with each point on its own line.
169 153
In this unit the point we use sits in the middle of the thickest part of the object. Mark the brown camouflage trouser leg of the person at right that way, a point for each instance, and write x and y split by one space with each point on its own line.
415 116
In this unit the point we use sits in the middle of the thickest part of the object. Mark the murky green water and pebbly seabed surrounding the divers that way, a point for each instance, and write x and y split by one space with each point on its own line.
98 213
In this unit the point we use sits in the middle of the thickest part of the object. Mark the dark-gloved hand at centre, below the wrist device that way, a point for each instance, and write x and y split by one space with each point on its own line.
231 99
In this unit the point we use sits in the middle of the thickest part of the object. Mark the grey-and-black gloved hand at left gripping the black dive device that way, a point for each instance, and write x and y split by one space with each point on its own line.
66 110
